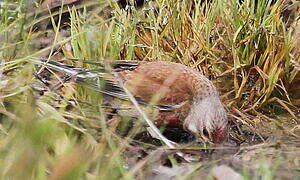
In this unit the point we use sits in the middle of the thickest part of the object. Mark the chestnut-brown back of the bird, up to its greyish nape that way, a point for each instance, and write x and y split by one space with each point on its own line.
165 83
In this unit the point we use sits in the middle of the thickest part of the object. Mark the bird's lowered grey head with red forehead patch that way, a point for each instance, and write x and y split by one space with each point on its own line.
207 119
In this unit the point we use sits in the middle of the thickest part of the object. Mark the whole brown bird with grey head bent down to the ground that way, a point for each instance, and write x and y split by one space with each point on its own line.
184 97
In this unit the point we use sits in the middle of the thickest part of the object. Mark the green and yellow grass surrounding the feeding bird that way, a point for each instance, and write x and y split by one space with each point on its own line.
61 131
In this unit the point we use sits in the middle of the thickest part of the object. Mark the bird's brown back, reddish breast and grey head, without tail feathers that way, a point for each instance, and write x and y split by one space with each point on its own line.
165 83
